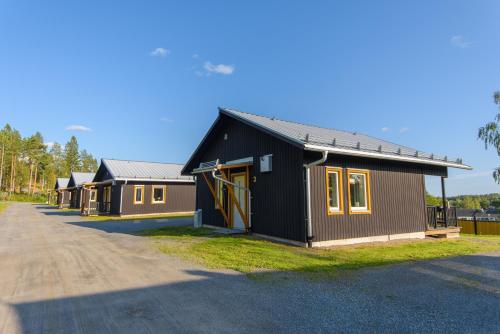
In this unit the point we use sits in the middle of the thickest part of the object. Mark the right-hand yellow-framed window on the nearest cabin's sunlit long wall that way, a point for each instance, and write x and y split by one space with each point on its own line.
359 191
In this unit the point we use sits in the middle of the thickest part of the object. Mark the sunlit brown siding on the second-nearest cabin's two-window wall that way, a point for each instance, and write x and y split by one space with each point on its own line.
180 197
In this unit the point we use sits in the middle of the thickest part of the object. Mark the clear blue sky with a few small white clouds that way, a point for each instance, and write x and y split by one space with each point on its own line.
145 77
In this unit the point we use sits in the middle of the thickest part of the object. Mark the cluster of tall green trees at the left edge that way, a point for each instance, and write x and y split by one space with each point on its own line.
28 165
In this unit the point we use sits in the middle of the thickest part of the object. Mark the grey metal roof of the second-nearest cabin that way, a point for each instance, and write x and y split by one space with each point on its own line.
143 170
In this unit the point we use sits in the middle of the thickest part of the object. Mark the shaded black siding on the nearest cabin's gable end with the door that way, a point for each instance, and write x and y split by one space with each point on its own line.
278 196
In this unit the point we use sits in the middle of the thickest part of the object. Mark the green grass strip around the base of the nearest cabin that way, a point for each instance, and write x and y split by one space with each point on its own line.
249 254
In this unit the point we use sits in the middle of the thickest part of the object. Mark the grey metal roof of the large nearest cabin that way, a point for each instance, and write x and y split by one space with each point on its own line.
342 142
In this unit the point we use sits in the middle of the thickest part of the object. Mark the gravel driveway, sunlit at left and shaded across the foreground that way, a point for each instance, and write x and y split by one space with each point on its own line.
61 275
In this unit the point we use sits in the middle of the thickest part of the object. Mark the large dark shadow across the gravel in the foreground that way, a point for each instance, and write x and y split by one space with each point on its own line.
401 298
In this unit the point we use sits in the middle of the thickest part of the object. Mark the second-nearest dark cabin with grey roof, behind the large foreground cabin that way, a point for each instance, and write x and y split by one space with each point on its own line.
124 187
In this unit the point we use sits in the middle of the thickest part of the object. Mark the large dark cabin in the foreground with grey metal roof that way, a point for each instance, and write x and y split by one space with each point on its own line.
312 185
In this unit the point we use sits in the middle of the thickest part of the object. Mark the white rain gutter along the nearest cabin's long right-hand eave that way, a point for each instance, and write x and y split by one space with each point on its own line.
336 150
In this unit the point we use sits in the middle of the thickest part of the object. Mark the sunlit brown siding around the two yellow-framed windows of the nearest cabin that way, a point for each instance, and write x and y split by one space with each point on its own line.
397 200
